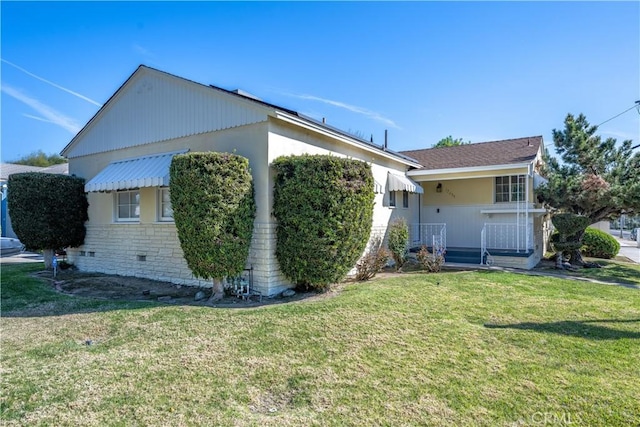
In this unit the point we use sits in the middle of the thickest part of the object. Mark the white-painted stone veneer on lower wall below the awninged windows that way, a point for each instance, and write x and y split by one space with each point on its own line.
153 251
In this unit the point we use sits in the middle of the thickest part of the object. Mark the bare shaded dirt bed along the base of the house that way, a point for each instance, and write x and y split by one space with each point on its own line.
125 288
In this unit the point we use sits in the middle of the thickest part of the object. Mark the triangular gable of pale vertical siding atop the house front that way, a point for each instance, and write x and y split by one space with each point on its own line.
154 106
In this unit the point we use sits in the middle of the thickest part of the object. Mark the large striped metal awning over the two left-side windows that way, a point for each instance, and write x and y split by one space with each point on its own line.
138 172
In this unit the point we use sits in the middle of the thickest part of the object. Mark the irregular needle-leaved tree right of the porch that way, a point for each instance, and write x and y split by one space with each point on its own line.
596 179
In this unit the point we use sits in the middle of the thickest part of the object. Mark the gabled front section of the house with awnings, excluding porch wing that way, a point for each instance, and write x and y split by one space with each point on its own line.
125 150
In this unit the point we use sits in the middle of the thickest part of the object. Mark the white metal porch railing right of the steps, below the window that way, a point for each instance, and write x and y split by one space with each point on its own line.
504 236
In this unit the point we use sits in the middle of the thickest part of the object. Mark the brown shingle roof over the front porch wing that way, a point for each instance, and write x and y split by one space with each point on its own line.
493 153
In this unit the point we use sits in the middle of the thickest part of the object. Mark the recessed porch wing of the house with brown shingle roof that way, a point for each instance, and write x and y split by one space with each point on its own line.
482 195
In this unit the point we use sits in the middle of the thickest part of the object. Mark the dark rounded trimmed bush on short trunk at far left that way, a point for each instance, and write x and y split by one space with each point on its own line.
48 211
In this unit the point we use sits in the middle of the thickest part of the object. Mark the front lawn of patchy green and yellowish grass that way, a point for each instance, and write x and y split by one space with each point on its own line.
458 348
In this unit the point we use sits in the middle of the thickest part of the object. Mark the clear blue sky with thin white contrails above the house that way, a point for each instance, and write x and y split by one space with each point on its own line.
423 70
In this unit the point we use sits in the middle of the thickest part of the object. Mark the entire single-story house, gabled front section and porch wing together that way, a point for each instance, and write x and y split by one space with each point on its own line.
476 201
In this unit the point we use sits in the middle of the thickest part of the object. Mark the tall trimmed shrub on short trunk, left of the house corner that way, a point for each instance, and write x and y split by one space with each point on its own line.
213 209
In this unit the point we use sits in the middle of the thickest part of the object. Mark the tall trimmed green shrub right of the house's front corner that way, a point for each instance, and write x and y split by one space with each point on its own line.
324 208
